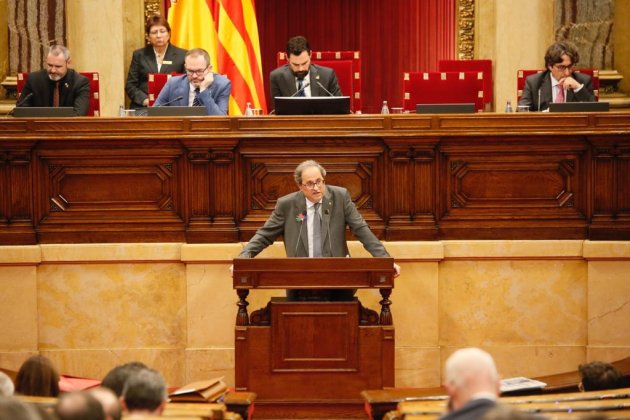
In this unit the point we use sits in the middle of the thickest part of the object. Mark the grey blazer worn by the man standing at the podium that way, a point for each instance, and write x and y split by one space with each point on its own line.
338 211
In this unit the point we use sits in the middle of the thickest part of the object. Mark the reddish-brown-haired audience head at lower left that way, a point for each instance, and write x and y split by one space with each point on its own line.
37 377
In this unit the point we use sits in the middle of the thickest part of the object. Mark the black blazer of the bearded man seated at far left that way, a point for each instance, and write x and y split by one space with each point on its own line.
74 91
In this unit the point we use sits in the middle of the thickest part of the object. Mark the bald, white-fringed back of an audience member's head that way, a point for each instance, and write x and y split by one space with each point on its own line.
469 372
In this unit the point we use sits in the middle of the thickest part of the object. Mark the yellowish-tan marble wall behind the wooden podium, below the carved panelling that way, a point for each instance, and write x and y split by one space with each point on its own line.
540 307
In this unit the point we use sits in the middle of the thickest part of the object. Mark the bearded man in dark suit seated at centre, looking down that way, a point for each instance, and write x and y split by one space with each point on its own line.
299 77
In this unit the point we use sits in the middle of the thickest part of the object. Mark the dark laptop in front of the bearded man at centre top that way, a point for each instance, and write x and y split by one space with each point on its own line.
312 105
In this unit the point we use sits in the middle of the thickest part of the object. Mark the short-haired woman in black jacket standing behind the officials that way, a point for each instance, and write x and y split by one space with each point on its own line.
159 56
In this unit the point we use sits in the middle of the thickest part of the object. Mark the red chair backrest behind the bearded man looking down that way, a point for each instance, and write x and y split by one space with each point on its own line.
347 66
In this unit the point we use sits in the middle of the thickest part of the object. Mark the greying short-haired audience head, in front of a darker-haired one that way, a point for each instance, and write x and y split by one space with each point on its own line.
144 394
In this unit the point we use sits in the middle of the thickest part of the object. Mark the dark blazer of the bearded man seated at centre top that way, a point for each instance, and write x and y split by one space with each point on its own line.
283 81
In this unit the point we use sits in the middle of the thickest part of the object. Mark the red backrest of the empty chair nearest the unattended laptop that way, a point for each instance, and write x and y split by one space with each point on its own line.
443 87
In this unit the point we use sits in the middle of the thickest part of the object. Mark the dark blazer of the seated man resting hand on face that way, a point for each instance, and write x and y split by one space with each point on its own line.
542 82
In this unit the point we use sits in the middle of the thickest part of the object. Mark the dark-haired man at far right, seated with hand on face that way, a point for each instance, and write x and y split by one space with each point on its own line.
558 83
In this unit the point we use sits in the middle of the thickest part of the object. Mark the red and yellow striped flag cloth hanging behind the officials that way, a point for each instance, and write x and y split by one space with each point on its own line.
228 30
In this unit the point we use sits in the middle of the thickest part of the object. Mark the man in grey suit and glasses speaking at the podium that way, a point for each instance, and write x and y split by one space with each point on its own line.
313 222
